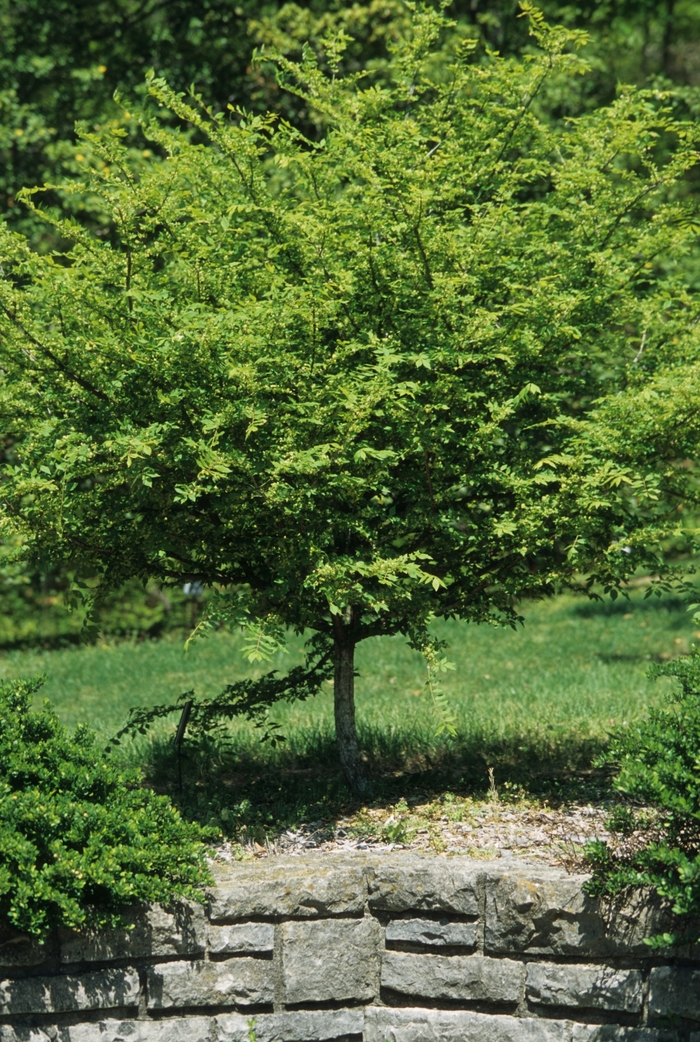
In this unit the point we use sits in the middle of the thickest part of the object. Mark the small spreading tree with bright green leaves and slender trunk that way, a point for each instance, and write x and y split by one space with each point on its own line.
354 384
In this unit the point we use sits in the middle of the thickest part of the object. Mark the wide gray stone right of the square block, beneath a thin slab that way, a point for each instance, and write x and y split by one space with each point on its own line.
464 978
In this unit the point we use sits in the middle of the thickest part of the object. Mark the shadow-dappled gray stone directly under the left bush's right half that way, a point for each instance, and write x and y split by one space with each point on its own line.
149 931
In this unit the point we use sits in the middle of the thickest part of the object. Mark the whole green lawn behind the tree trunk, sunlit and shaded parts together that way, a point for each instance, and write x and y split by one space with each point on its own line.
535 705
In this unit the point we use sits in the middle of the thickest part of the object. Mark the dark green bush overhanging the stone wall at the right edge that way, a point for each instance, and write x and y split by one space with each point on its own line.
657 838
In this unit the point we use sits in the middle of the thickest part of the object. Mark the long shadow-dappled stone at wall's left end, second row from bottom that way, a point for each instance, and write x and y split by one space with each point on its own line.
101 990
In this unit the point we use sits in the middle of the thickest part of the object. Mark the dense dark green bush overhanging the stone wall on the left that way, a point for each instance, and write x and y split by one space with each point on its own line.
80 839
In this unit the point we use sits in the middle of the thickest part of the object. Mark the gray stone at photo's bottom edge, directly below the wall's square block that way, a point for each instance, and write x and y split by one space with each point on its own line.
307 1026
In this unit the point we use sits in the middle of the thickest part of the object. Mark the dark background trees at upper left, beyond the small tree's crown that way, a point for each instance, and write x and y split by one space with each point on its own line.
63 62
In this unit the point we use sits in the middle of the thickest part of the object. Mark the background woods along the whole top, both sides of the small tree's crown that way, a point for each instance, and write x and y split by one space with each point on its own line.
62 62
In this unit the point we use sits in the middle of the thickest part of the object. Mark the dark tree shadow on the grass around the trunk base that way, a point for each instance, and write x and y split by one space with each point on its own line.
257 792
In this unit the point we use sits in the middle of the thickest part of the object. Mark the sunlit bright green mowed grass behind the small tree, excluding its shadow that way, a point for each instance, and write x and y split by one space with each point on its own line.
574 671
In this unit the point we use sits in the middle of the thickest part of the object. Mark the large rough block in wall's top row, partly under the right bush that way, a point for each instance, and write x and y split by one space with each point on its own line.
547 913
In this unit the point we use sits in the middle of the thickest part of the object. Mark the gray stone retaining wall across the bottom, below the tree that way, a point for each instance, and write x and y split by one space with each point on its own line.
385 948
